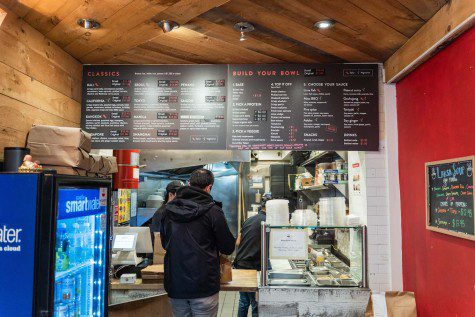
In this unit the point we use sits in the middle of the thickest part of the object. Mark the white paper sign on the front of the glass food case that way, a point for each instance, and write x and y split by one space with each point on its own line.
290 244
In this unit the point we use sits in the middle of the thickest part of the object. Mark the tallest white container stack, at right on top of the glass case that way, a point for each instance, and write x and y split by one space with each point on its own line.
332 211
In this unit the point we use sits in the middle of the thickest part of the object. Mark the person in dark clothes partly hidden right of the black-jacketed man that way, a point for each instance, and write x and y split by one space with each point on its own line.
248 256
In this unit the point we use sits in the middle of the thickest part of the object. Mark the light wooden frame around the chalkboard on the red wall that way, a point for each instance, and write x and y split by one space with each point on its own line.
429 226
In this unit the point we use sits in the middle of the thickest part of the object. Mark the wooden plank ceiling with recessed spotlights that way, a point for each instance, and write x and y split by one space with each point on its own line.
365 30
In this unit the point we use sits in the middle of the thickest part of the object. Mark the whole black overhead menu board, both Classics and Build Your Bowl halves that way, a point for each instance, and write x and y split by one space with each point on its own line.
262 106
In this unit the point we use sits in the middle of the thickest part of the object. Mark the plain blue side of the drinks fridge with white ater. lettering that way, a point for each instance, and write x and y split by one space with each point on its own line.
18 217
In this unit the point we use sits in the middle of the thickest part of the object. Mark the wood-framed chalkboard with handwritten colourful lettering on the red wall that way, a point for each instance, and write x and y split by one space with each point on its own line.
450 199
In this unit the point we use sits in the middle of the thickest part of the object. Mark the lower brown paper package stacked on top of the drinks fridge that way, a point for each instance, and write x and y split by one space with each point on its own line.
60 155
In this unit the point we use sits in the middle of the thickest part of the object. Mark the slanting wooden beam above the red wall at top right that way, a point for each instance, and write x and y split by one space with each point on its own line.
452 20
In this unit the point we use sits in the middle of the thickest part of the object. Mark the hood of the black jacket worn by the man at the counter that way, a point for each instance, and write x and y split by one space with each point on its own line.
189 204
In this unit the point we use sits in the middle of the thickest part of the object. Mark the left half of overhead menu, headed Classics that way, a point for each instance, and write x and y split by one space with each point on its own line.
155 106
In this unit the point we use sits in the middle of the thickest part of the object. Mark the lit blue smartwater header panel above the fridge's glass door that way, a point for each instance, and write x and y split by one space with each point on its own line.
81 202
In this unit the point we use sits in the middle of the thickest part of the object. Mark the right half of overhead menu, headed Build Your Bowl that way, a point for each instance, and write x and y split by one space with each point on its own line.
298 107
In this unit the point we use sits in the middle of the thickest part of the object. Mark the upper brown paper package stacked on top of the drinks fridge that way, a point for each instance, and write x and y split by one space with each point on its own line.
65 136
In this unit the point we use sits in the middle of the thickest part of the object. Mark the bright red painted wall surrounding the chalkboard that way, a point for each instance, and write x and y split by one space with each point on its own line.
436 121
